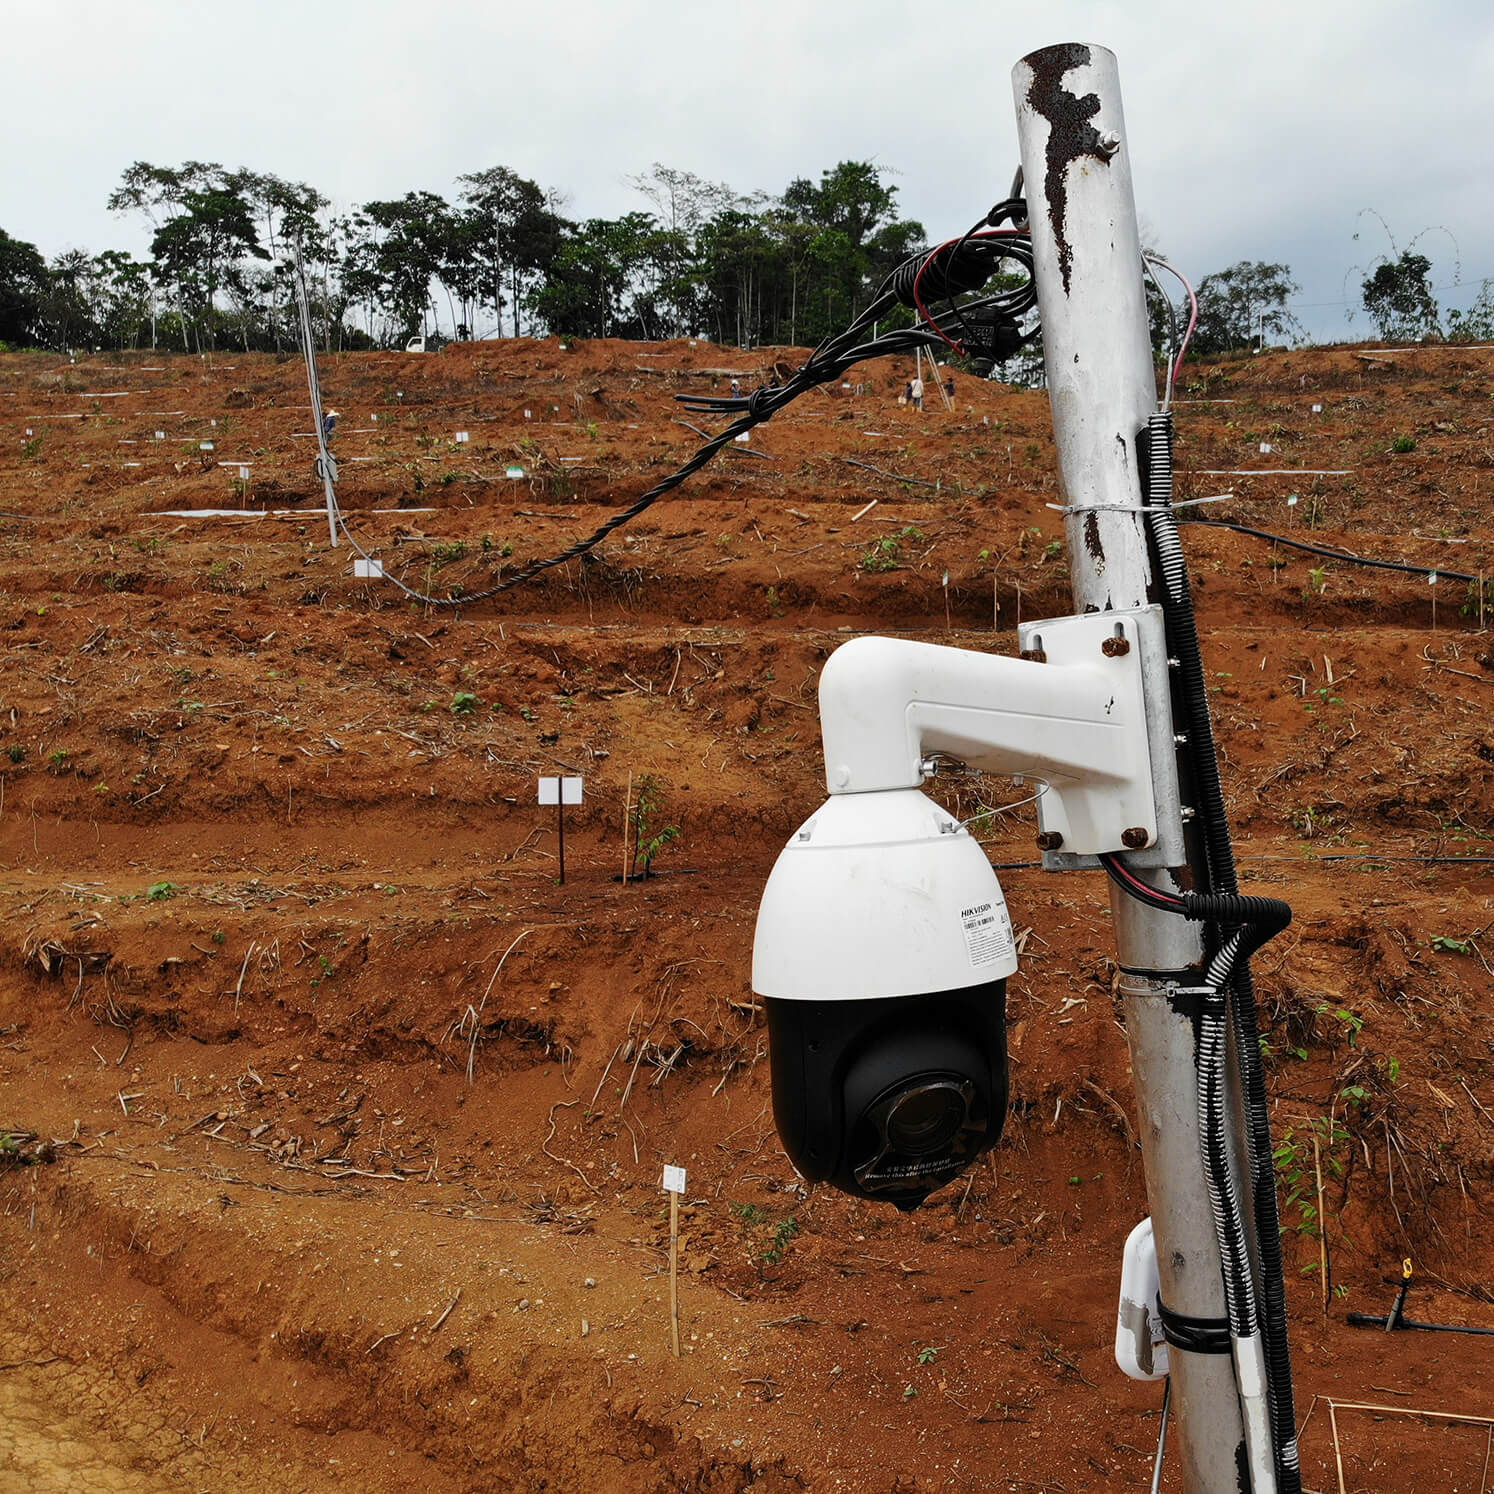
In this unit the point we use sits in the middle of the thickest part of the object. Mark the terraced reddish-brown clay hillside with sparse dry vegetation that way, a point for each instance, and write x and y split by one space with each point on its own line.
338 1124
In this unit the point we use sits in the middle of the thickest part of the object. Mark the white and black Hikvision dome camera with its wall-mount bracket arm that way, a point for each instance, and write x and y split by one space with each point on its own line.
884 942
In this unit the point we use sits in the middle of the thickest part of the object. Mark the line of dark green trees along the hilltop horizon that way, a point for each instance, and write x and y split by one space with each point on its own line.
501 258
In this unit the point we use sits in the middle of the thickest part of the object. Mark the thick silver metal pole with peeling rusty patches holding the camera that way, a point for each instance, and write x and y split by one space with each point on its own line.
1103 388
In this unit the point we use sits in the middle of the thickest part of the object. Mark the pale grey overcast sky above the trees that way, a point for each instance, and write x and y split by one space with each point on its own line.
1259 131
